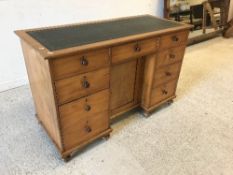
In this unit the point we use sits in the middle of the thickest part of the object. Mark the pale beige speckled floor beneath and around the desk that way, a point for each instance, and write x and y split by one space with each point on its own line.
193 136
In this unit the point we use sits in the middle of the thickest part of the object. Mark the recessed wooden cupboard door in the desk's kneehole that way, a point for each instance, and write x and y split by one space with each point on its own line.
122 84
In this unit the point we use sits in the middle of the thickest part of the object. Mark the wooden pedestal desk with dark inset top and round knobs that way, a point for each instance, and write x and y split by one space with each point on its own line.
84 75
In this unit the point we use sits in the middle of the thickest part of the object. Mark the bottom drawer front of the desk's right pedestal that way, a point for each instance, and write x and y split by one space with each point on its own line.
163 92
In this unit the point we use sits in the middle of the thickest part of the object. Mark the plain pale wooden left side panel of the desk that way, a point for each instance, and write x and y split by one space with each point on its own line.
43 92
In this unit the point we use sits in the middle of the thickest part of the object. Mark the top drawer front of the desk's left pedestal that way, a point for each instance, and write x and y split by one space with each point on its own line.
81 63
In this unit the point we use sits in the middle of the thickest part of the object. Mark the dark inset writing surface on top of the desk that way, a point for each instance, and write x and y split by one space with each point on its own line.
58 38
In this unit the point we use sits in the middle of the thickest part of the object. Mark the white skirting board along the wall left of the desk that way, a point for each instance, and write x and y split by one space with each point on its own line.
4 86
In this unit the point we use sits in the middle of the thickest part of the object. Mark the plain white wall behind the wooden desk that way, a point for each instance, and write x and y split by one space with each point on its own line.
21 14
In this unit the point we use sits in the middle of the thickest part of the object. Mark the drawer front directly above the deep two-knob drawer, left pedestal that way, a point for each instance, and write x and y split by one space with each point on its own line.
81 85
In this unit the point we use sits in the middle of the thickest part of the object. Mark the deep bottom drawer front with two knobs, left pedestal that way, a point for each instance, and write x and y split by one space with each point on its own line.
84 118
